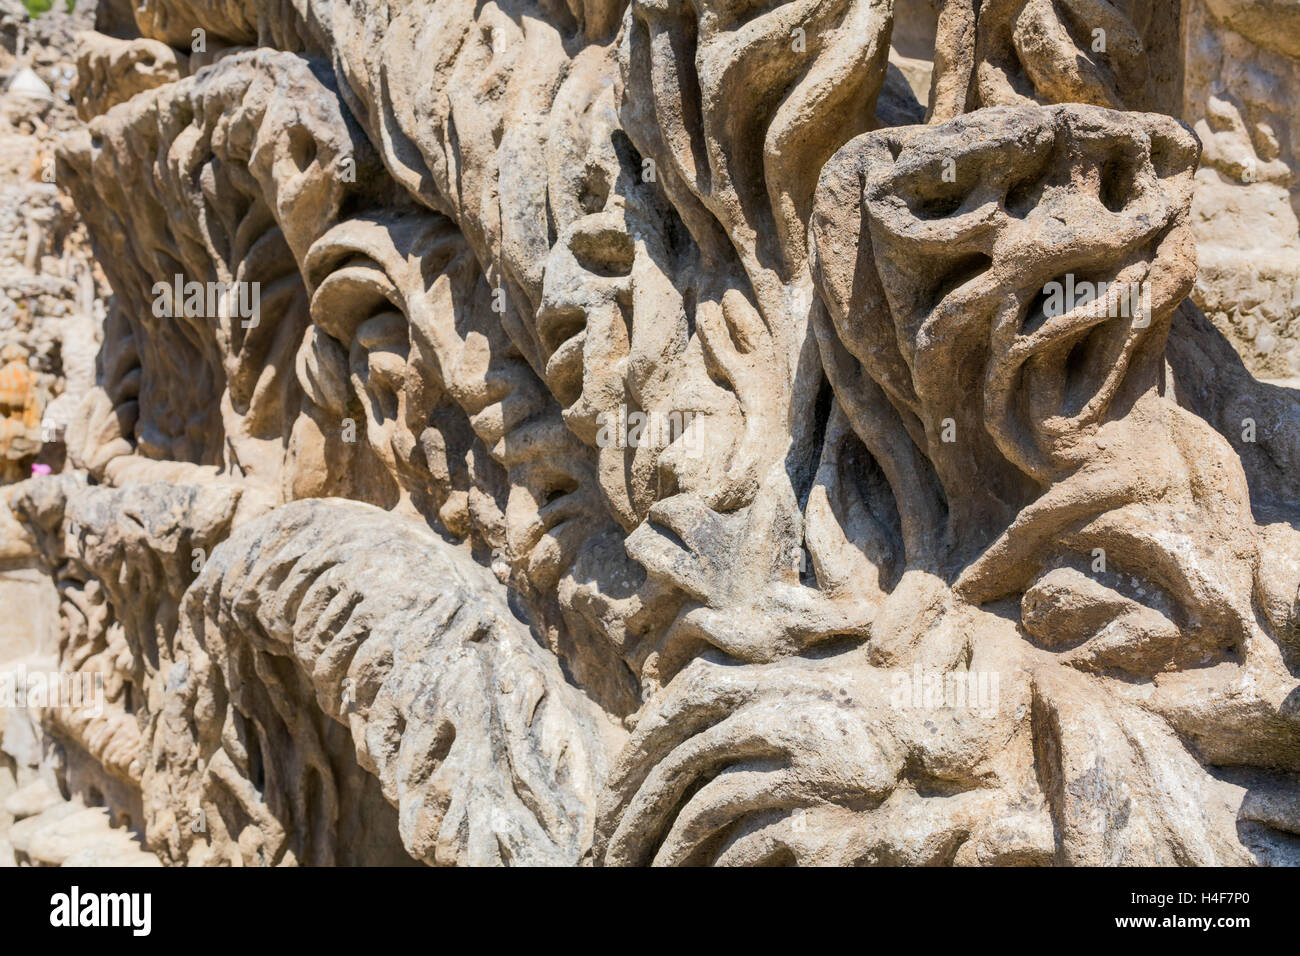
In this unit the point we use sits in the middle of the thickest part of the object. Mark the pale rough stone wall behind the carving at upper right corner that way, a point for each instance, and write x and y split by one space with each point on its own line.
1243 68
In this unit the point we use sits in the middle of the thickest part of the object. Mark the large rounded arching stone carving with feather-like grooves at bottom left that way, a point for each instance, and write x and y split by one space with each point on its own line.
488 755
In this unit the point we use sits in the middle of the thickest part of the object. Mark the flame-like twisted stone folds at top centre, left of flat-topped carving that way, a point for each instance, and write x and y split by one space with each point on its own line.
744 111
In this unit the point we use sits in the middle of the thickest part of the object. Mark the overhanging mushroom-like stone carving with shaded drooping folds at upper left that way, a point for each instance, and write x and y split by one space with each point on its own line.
257 127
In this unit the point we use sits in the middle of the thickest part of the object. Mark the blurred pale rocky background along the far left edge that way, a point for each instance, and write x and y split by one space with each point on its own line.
53 300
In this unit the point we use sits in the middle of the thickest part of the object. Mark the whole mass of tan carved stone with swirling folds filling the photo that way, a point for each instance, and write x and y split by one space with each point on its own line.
675 434
